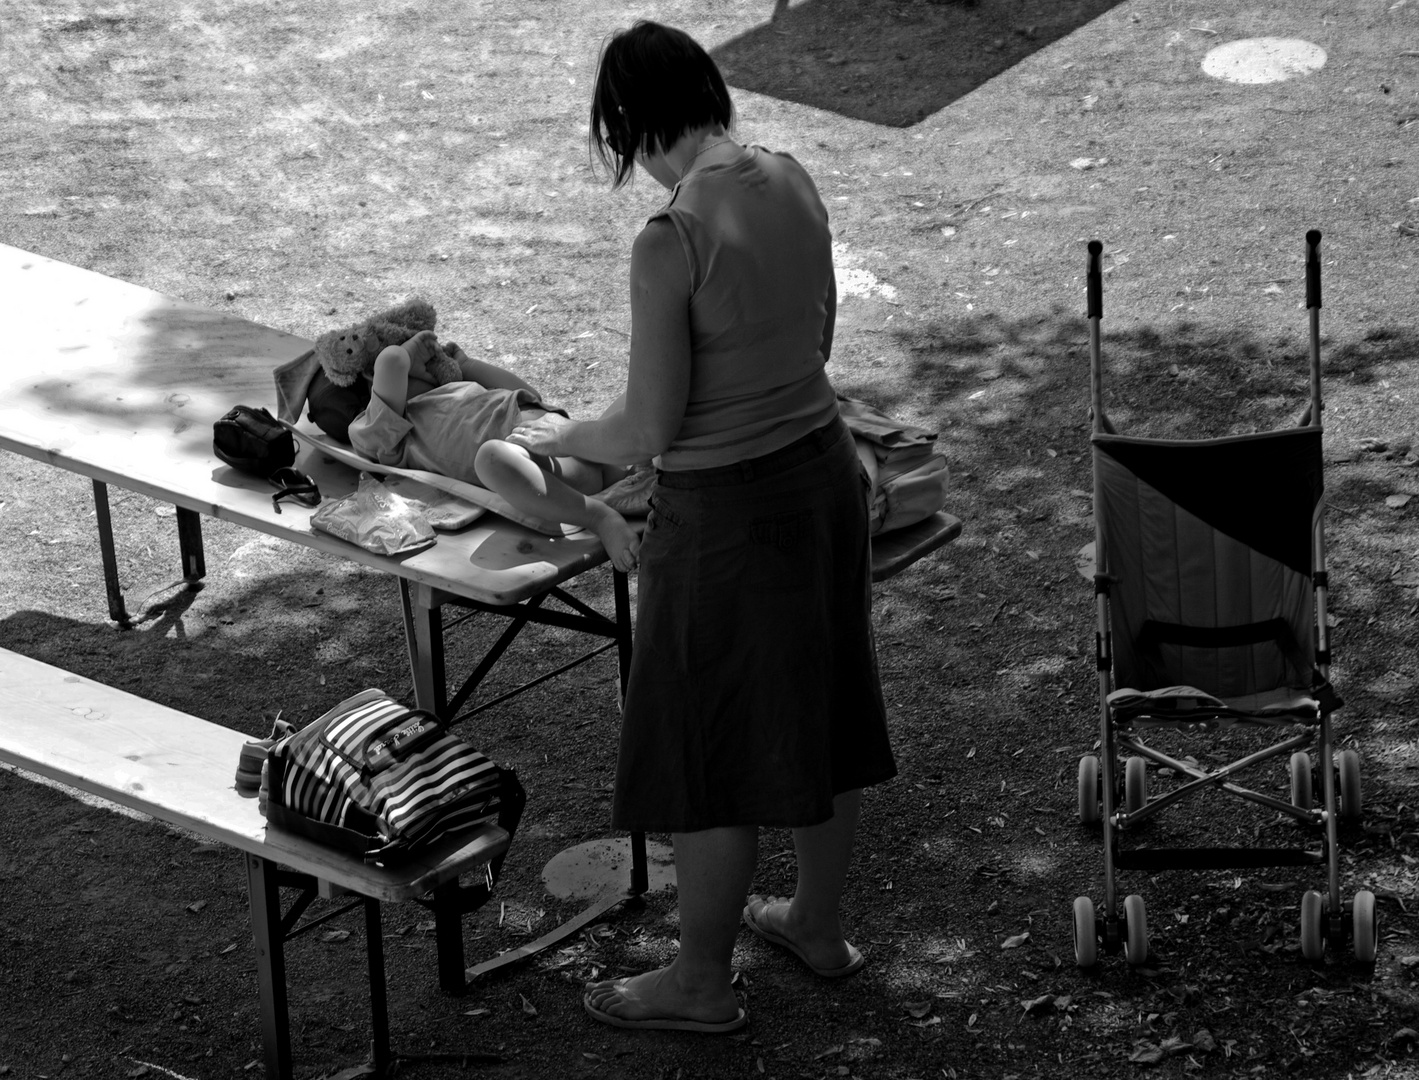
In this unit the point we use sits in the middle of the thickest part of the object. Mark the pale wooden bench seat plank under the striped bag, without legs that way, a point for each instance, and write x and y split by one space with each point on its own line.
182 771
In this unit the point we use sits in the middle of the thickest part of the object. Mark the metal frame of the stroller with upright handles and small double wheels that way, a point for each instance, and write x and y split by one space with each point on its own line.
1125 716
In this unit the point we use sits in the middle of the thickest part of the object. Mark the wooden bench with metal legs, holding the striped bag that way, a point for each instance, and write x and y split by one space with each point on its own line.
181 770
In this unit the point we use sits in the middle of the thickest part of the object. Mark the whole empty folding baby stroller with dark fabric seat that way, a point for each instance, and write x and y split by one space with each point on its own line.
1210 583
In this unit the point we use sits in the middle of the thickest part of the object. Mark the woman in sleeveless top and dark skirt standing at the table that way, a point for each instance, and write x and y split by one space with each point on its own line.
754 698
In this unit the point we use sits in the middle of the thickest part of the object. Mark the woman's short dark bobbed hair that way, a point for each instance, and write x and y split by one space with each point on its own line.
653 84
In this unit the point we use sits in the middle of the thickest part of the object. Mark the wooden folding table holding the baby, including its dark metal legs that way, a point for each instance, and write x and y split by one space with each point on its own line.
123 385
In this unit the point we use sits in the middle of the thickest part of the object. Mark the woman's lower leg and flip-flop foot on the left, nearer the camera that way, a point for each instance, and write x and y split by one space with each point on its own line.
713 874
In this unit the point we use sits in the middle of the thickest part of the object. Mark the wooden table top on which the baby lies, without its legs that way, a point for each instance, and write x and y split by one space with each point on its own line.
123 385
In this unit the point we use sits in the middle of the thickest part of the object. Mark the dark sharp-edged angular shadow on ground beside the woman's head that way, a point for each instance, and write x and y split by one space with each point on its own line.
893 62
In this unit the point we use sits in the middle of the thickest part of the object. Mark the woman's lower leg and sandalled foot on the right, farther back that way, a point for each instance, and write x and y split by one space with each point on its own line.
812 919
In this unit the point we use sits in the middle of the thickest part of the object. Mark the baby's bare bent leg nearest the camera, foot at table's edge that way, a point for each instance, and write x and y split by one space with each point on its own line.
513 473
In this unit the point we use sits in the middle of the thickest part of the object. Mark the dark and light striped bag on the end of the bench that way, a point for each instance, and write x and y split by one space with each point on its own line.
381 780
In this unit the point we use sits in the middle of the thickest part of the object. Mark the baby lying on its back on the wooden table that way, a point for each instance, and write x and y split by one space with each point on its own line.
459 431
